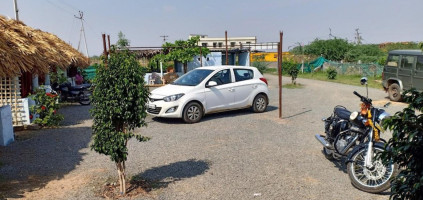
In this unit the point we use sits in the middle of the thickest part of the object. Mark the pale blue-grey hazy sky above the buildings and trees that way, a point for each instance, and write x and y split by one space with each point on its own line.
144 21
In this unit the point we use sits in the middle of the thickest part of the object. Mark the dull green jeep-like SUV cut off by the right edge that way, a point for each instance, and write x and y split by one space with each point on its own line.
403 70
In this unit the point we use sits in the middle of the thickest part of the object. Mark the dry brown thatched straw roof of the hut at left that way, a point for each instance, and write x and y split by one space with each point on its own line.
24 49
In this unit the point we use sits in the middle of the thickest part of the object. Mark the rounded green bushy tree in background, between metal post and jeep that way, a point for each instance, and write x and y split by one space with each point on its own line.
334 49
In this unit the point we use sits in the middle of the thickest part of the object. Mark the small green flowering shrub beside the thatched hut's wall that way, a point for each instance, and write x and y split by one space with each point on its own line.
46 107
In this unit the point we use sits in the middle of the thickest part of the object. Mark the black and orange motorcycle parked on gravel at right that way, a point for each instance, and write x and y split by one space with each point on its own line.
356 136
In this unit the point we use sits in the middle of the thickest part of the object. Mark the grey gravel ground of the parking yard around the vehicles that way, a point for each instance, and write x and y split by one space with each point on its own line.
231 155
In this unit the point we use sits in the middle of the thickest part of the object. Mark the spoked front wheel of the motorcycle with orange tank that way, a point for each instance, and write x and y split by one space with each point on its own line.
375 179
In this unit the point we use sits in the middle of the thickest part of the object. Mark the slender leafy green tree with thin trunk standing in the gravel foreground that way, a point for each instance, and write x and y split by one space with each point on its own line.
119 100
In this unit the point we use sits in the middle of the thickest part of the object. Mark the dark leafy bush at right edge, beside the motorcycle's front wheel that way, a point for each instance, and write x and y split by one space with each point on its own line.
406 148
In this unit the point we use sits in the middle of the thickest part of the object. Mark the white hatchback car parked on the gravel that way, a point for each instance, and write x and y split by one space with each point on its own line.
210 89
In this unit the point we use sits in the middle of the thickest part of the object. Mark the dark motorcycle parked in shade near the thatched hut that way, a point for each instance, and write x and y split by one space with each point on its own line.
77 93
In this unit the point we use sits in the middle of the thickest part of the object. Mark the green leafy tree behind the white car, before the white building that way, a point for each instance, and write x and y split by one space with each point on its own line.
182 51
